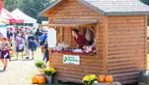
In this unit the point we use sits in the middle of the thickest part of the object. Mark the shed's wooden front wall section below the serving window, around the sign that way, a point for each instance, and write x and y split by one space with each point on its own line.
74 73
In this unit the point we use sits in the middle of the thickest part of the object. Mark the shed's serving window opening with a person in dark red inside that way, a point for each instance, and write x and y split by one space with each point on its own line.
78 40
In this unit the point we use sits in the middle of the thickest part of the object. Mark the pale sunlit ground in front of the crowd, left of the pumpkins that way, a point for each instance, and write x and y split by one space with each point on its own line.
19 72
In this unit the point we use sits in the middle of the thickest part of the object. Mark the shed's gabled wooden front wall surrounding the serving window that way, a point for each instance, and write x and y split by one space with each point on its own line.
73 11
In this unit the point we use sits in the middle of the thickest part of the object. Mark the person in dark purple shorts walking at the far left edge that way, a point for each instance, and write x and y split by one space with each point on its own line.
5 52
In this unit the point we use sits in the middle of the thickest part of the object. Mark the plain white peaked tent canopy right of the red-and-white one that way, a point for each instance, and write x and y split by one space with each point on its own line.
19 14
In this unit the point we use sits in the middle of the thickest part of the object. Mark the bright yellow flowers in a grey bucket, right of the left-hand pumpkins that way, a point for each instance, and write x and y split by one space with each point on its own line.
49 72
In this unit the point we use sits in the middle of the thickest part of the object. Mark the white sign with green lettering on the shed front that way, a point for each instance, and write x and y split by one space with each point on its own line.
71 59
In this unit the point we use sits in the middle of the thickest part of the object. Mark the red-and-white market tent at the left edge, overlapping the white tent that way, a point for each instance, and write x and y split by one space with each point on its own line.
8 18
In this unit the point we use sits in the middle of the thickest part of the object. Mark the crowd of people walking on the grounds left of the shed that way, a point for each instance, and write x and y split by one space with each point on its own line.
22 41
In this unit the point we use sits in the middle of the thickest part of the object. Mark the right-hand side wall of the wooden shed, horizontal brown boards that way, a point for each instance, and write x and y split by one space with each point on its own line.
127 45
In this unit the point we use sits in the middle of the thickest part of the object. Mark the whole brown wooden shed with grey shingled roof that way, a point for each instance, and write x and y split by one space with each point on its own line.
120 27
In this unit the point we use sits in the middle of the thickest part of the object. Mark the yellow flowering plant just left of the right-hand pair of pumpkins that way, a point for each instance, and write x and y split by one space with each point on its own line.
90 79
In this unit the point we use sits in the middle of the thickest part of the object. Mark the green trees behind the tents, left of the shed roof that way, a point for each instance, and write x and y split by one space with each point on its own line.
30 7
